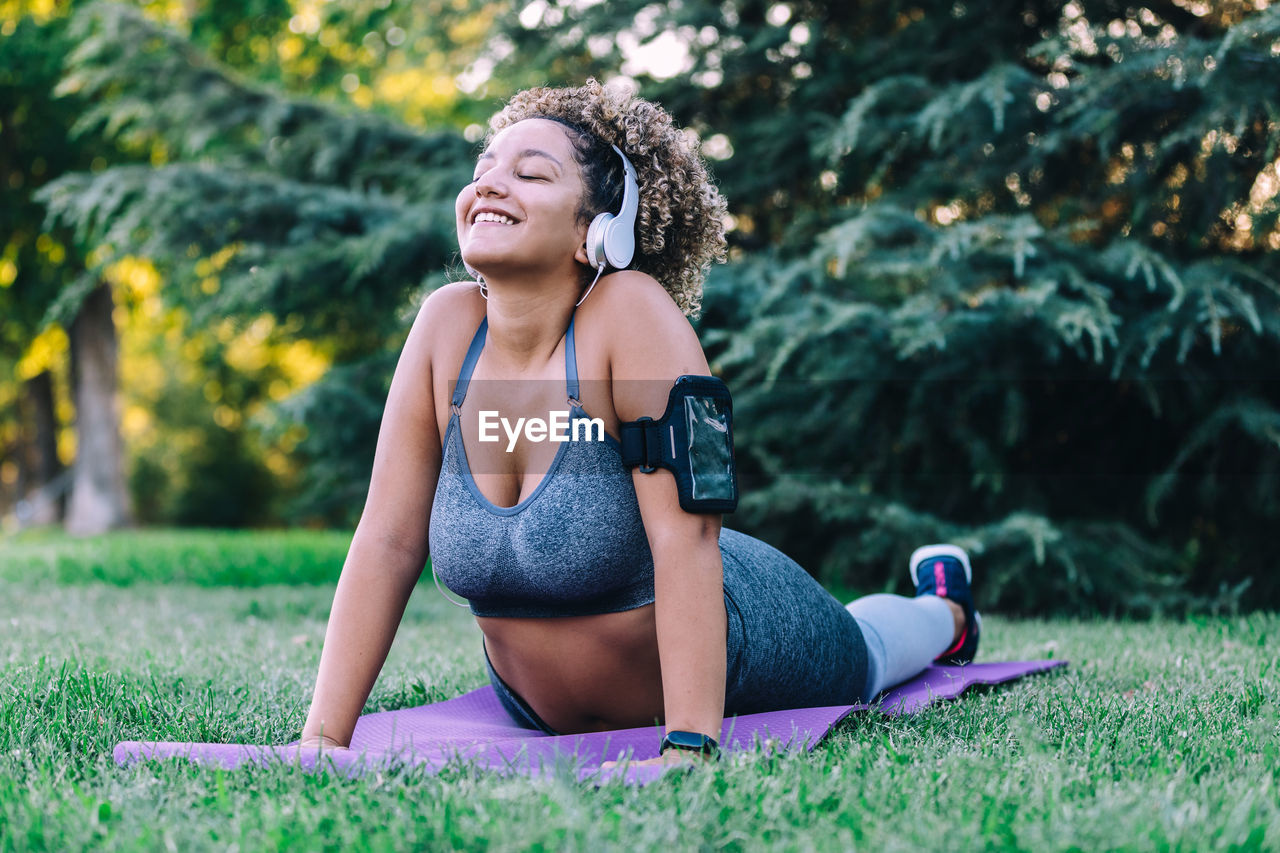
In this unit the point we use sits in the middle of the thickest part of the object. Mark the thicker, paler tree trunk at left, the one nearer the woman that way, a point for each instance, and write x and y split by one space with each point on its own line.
99 501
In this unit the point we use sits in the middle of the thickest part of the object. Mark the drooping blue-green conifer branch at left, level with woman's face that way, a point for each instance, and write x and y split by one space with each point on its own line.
319 252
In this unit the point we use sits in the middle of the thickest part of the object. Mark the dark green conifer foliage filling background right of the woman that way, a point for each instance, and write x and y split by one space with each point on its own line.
1008 280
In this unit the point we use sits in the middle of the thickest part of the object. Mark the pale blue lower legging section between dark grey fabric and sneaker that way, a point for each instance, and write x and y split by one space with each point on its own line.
903 636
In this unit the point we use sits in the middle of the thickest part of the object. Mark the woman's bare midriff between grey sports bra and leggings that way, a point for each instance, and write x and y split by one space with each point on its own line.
582 673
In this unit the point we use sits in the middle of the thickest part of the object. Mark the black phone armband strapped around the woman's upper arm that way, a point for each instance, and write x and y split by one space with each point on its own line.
694 441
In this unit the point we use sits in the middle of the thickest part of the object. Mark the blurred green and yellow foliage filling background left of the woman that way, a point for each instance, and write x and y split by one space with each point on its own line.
204 444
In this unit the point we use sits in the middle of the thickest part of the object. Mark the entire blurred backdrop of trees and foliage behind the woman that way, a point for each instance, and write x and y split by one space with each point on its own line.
1007 279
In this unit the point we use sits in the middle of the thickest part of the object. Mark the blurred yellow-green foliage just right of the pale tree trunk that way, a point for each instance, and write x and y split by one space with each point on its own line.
191 396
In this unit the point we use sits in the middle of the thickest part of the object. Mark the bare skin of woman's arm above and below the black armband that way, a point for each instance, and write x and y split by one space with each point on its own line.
646 359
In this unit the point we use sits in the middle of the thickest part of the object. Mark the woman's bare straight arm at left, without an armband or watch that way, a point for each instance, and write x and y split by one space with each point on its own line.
390 548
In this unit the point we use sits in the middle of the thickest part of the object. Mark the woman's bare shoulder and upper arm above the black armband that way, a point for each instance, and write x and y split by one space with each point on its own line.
651 343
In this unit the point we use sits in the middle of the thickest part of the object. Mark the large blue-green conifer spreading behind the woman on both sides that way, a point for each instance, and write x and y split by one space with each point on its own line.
1000 280
